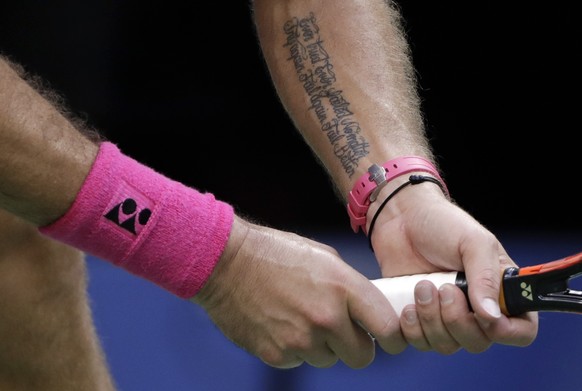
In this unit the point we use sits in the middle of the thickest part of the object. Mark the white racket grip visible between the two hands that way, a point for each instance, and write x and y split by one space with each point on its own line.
400 290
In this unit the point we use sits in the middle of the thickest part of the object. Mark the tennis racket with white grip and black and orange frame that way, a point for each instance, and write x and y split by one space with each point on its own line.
543 287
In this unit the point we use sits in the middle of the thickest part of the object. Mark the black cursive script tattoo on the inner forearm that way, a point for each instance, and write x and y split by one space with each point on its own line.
315 71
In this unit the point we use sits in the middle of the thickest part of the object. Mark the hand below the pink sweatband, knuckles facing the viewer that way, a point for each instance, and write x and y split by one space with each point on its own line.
288 300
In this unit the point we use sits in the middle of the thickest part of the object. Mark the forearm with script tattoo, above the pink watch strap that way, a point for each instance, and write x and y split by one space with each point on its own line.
342 71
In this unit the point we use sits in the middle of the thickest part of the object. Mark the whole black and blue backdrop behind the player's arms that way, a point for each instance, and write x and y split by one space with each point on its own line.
181 87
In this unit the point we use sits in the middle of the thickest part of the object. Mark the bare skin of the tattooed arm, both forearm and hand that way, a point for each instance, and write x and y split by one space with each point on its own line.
363 56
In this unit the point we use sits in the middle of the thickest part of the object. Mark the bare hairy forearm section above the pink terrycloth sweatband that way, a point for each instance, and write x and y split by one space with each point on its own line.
43 157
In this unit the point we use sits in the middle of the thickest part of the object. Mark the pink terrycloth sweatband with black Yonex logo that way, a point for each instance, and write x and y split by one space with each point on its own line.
140 220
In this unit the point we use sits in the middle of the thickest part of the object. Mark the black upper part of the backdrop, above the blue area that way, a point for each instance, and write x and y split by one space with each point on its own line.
181 87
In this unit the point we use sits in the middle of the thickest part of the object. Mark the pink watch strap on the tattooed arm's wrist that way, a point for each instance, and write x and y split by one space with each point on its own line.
368 185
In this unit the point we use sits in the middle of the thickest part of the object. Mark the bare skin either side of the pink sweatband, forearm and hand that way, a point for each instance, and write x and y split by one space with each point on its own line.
348 305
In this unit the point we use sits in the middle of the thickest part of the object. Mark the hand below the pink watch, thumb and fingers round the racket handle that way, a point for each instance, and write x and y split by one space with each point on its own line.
420 231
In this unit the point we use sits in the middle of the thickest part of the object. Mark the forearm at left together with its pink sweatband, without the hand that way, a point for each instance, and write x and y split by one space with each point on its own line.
98 200
